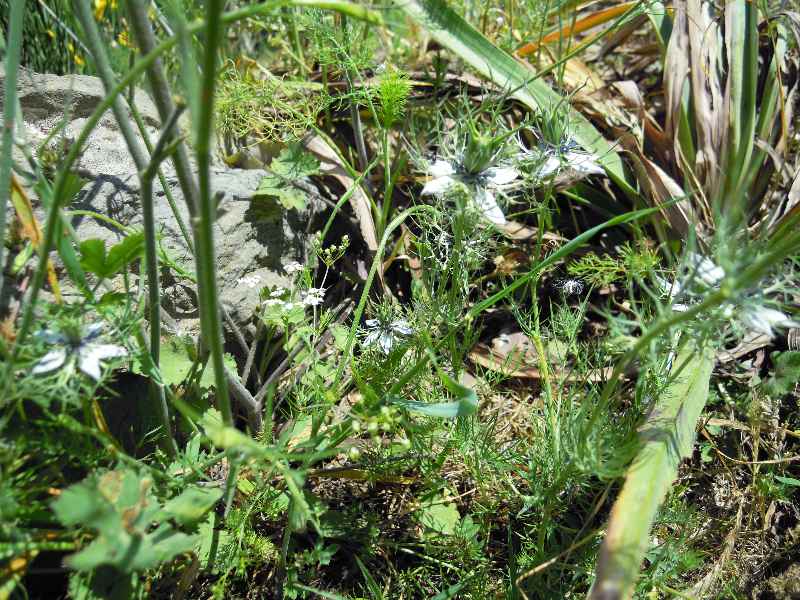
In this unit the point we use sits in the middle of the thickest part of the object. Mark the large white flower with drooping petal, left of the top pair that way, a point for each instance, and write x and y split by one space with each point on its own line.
482 185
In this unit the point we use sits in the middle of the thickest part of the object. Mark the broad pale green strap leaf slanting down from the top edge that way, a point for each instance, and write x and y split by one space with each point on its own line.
454 33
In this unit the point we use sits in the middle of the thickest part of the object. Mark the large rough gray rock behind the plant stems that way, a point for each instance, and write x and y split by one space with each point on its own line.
250 250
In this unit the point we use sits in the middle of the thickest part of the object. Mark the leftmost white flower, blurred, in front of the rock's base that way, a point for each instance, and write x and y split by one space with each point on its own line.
86 352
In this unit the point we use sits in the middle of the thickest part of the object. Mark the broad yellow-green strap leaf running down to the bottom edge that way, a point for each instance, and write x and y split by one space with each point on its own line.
667 436
